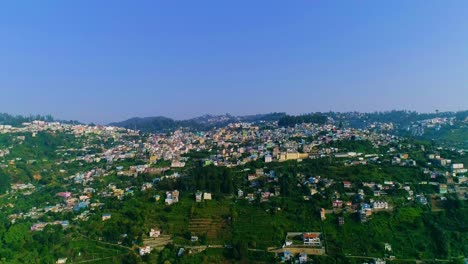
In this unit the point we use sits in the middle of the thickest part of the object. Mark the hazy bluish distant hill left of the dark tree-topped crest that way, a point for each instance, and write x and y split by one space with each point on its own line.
205 122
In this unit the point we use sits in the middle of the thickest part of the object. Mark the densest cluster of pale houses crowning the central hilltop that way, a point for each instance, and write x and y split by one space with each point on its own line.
239 143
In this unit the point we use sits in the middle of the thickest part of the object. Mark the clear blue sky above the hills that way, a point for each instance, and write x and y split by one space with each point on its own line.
106 61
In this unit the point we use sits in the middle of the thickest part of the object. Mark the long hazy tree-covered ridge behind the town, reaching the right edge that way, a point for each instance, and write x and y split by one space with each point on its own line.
401 118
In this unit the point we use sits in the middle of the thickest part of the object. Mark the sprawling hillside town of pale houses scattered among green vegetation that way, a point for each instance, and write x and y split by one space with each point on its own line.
105 162
